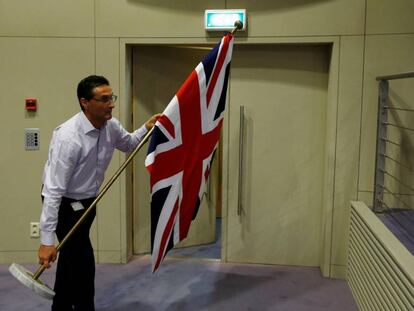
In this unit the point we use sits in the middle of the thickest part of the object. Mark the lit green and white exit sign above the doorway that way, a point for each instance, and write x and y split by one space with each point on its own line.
219 20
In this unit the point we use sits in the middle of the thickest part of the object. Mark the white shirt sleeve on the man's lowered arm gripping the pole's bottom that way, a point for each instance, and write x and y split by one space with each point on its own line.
62 160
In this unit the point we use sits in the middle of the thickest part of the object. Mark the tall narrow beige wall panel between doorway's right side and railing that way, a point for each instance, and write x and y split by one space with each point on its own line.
347 146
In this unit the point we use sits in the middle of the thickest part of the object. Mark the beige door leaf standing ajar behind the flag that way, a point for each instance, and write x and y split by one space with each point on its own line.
158 72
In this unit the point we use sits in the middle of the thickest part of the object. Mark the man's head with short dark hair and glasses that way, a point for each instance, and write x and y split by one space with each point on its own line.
96 99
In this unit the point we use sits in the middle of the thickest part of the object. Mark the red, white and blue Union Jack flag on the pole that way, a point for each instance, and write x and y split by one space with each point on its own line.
182 147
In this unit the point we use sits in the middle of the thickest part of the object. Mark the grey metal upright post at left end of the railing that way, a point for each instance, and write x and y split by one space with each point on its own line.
381 146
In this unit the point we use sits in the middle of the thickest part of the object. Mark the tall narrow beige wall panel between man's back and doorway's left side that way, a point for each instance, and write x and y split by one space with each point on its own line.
109 208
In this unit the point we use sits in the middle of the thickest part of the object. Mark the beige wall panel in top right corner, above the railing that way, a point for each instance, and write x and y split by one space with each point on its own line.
384 16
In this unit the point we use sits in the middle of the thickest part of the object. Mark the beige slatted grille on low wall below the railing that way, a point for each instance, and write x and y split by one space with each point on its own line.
380 269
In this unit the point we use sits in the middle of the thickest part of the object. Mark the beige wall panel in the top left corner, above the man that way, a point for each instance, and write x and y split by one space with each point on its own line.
63 18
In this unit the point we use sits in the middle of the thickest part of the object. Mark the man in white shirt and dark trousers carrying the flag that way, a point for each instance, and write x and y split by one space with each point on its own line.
79 153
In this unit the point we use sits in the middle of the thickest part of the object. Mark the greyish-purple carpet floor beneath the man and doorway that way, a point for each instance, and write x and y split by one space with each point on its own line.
194 284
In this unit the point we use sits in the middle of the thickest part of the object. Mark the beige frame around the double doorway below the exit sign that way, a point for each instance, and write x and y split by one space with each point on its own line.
126 47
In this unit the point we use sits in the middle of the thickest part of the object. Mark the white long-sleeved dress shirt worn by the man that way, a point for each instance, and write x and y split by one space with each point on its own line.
79 154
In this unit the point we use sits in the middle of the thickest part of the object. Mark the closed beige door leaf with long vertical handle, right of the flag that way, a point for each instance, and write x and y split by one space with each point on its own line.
275 218
